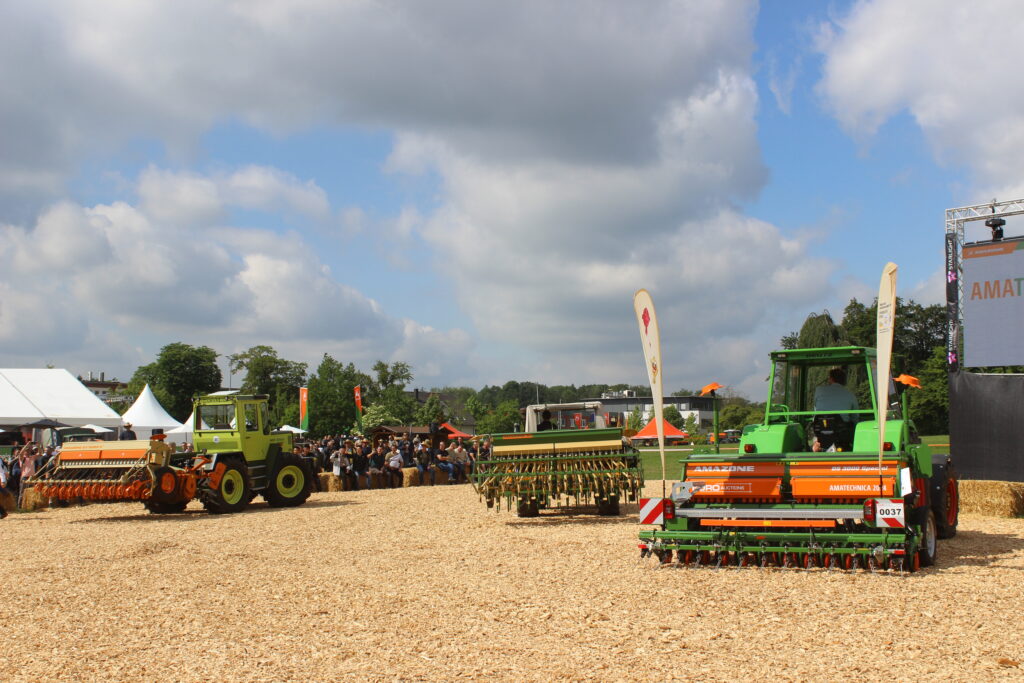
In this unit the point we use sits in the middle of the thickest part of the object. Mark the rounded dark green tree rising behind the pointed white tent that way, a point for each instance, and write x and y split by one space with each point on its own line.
179 375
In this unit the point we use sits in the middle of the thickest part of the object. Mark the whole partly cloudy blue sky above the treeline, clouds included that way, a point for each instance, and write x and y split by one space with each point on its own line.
479 189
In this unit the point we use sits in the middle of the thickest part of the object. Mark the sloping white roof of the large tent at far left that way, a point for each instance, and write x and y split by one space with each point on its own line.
31 395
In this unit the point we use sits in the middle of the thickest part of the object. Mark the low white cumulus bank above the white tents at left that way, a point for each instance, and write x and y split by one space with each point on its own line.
82 275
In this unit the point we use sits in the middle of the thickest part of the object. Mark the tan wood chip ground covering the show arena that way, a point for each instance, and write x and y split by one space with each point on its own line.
428 584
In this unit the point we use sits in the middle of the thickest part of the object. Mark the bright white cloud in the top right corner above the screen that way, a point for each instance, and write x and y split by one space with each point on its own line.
946 63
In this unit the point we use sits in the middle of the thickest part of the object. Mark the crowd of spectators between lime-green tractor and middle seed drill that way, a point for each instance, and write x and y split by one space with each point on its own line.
356 459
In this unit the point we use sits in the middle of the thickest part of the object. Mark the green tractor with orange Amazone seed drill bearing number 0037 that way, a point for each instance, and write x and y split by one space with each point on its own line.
808 488
